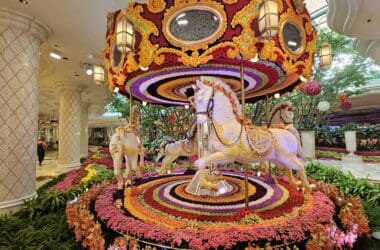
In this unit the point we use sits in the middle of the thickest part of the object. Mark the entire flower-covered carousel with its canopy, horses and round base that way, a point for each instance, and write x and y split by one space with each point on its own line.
228 52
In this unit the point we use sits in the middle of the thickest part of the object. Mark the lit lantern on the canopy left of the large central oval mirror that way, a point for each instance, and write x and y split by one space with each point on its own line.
125 40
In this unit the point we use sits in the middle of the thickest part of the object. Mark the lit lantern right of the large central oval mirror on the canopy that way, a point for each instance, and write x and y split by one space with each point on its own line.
268 18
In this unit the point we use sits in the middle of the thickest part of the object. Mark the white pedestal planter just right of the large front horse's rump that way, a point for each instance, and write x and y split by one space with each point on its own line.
307 129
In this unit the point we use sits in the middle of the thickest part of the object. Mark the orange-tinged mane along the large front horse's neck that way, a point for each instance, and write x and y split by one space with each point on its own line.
229 93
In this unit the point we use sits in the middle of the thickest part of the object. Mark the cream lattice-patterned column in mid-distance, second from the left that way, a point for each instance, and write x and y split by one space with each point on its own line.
69 126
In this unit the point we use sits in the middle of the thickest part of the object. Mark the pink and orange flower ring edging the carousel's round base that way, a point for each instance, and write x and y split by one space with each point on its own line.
290 225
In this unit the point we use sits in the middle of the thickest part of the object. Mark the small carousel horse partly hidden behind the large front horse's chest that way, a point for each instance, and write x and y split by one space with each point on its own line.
173 150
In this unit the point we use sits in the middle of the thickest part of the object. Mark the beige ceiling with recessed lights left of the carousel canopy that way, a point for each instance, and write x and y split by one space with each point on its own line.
78 32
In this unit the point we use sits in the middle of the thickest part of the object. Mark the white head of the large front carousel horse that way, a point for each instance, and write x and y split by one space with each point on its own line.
203 99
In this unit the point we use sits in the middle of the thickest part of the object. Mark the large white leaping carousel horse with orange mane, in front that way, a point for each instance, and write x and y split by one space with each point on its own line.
232 140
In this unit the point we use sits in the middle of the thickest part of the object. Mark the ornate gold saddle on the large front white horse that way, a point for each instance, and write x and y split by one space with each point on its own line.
259 139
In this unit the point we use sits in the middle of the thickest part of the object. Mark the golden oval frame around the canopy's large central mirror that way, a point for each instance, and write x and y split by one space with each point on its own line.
173 12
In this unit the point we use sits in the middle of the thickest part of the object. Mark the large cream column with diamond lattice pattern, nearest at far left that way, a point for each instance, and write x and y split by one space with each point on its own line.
20 40
